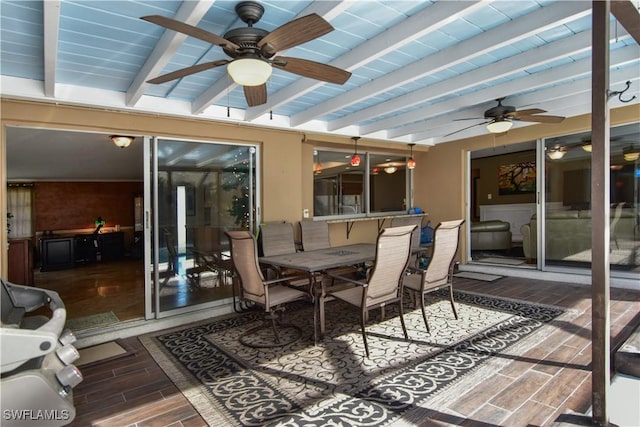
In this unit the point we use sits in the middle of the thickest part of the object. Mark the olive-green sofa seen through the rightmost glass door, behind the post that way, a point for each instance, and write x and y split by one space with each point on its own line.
568 233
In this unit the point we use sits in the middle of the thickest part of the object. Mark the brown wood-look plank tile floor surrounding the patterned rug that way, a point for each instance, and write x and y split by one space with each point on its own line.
550 379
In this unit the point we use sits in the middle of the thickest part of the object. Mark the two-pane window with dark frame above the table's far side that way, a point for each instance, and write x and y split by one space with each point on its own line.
378 185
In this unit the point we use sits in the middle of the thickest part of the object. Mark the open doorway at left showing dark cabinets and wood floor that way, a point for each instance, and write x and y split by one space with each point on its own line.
81 240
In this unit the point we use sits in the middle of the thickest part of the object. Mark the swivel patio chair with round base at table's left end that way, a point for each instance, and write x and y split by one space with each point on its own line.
271 295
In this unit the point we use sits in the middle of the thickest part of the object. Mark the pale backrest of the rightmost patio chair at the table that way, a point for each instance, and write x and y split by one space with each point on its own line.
445 246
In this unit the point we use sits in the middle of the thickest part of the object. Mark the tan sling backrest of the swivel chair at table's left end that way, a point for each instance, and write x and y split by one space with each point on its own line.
244 254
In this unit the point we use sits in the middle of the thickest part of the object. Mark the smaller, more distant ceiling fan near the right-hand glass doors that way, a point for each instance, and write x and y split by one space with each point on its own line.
500 118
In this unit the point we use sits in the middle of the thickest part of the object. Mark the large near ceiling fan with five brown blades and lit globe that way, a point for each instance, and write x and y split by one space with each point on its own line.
253 51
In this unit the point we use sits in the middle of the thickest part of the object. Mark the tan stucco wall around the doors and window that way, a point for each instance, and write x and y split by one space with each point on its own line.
287 178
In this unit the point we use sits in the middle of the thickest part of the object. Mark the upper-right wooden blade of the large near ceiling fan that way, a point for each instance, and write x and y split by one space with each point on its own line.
294 33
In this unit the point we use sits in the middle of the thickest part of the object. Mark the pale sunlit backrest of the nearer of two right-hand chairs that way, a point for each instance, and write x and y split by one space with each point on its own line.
393 249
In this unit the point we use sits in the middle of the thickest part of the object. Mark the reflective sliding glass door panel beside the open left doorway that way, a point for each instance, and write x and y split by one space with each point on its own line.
199 191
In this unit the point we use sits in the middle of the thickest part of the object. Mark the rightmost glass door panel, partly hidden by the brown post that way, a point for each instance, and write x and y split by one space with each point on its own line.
567 224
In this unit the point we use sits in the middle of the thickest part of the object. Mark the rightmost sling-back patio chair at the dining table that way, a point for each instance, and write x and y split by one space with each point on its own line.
439 272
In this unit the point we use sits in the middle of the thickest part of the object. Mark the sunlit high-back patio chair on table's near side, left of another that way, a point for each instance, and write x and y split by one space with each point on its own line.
384 283
